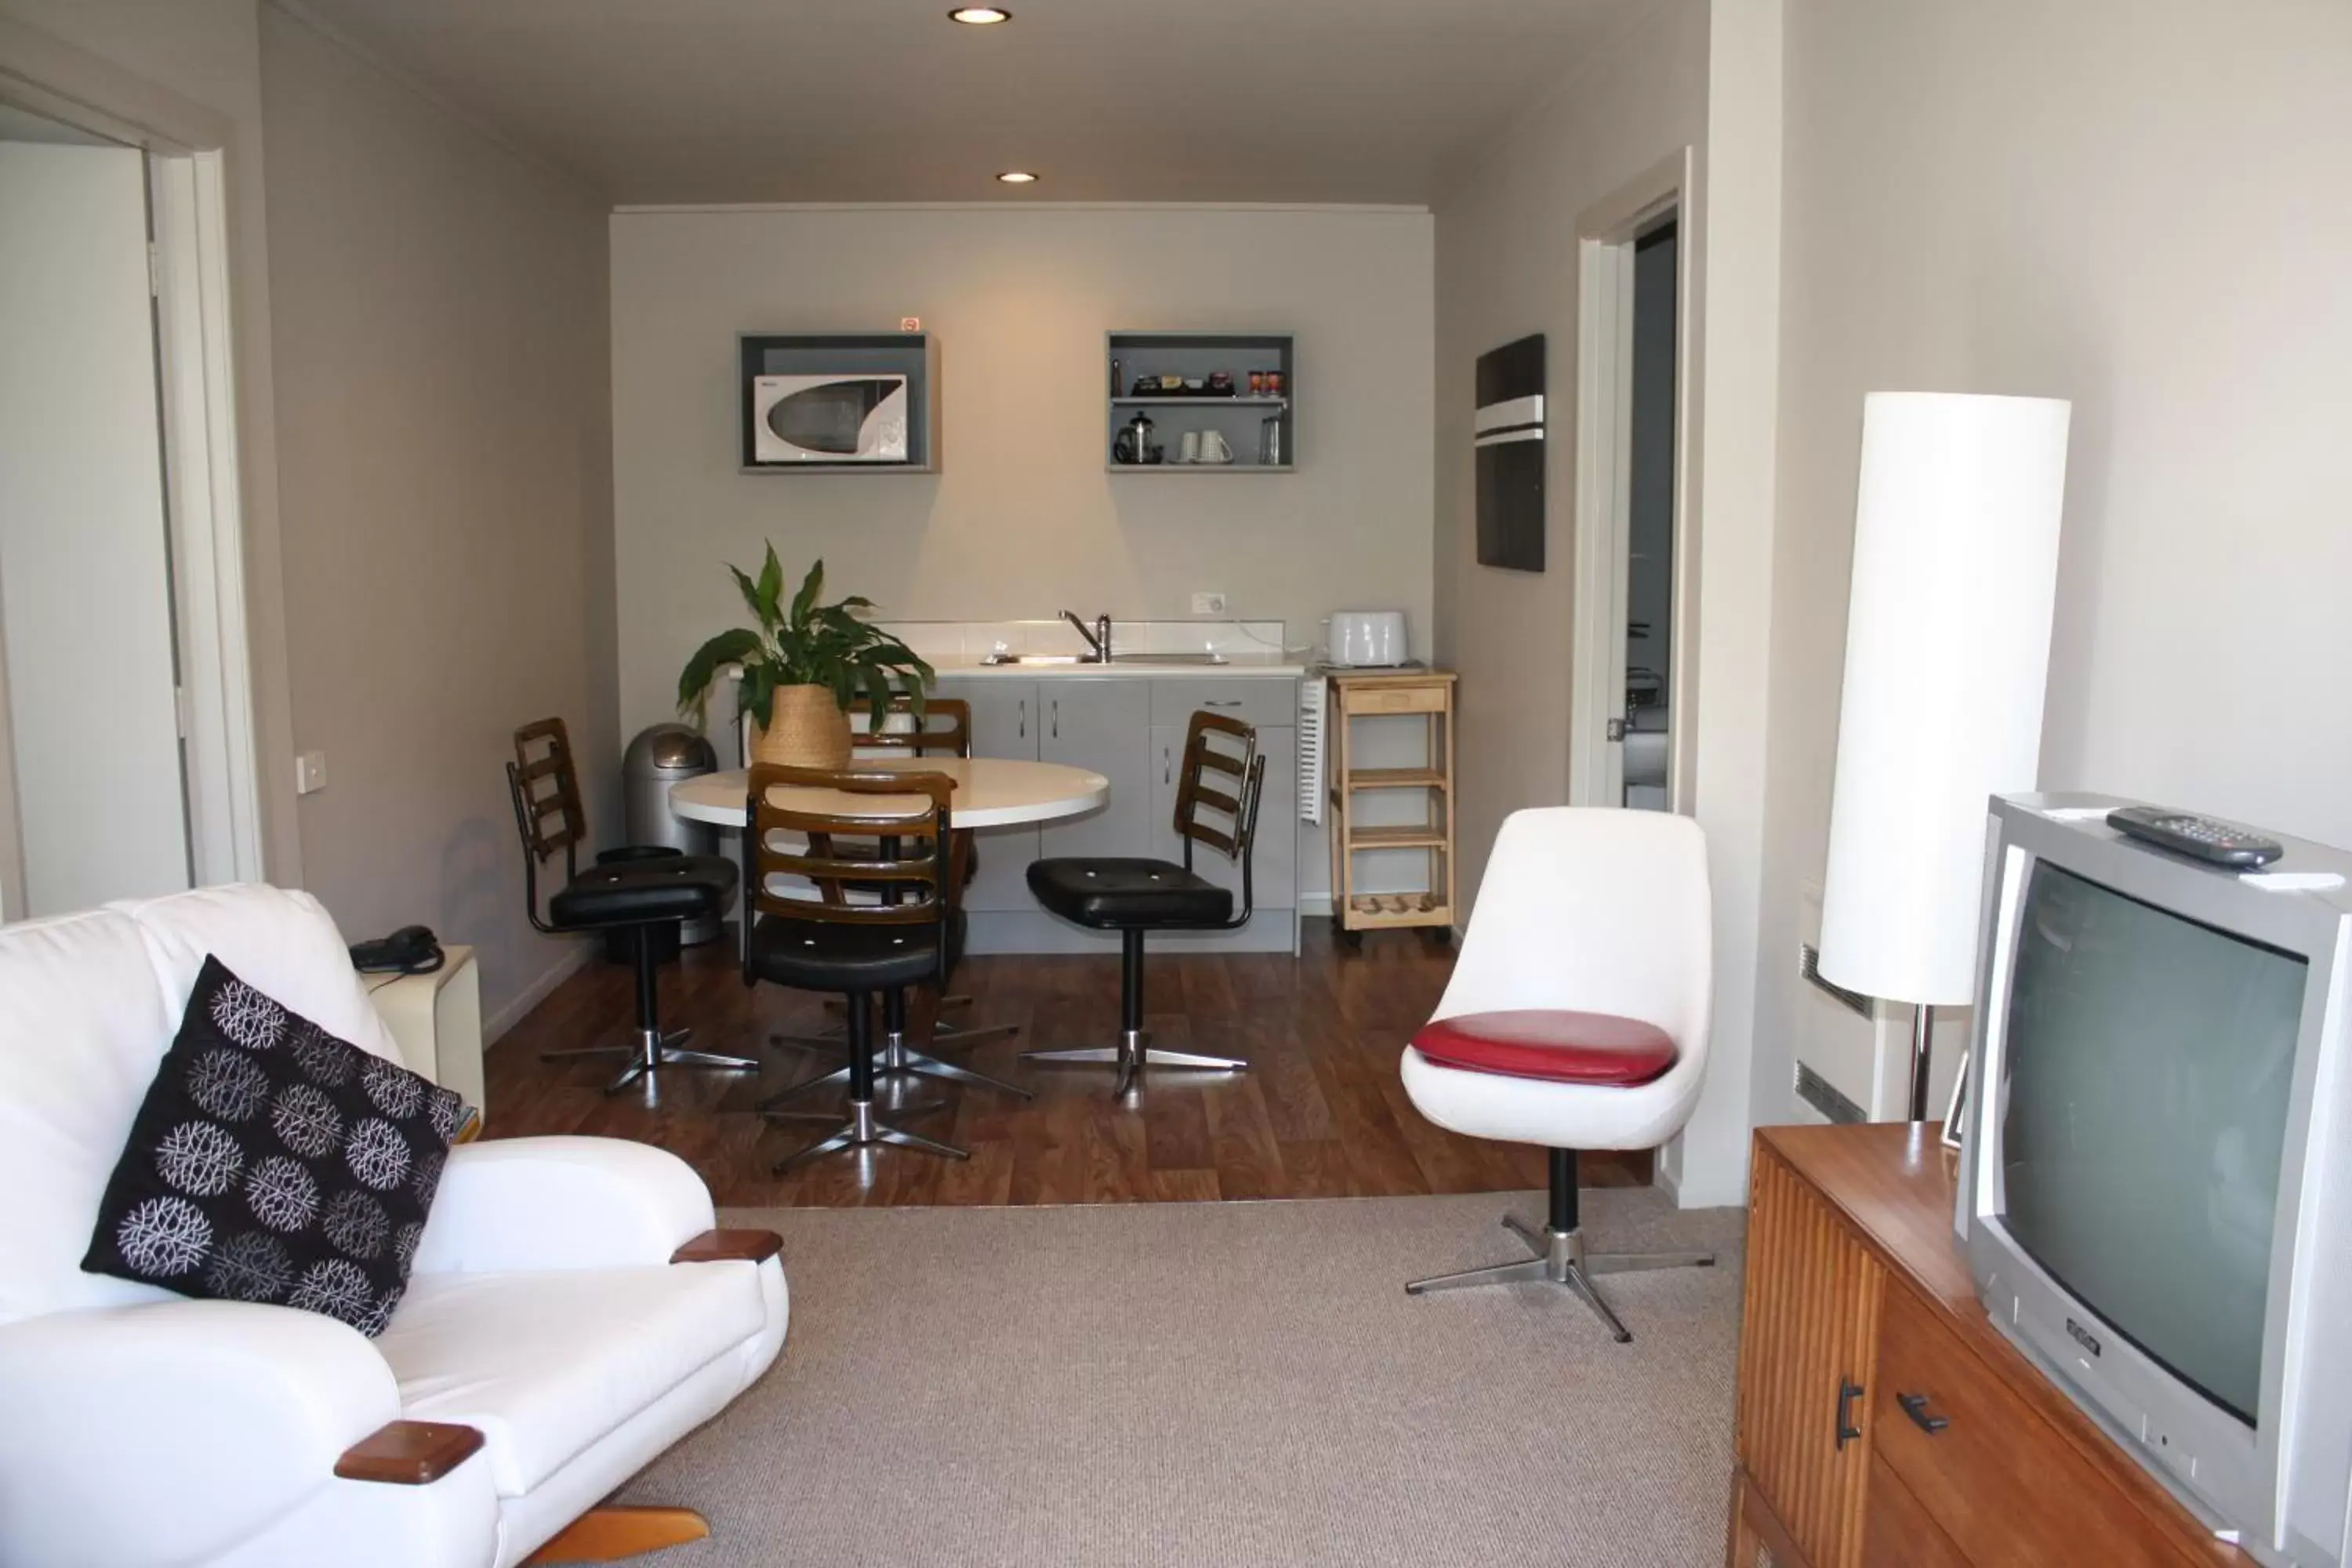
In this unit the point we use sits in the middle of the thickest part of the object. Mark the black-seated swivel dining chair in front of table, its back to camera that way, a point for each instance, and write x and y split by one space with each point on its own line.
876 918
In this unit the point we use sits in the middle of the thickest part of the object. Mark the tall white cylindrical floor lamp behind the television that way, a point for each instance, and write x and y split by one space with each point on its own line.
1949 636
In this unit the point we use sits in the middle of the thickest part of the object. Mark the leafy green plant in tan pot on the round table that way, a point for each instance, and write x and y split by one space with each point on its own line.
803 669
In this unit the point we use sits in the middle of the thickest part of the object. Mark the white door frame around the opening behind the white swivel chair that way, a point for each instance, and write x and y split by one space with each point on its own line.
1605 243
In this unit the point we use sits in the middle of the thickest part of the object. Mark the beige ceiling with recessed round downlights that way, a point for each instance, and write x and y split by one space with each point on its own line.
890 102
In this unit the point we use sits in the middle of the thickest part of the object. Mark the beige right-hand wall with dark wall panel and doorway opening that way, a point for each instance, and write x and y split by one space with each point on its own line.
1685 76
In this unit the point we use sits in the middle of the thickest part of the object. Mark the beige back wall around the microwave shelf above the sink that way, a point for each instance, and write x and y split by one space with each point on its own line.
1022 521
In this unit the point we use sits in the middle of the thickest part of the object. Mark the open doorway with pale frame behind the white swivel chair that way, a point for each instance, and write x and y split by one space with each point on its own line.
1631 692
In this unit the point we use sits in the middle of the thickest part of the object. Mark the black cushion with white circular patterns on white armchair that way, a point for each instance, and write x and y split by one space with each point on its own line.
274 1162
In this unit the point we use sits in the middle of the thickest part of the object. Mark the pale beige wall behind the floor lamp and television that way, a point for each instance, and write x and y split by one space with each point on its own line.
2139 206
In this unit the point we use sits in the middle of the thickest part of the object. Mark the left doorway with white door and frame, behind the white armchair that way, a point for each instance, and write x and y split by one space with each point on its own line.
126 711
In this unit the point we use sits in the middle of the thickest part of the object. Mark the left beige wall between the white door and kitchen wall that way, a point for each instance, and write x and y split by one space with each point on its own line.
441 323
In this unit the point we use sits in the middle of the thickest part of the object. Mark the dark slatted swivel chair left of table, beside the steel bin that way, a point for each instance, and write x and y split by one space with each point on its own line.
634 894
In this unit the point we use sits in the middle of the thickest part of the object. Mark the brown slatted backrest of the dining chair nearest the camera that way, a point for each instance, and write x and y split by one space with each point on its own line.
904 855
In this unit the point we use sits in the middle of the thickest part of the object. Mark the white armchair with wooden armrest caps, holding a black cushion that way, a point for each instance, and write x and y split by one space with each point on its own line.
140 1428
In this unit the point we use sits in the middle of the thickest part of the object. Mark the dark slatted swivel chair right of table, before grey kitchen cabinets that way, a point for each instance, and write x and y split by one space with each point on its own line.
1140 897
